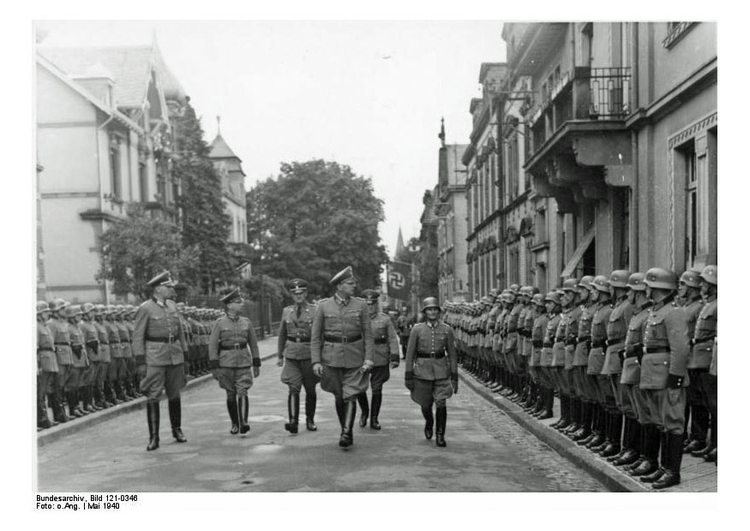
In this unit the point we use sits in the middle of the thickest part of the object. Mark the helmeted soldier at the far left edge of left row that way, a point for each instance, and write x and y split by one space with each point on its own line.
47 371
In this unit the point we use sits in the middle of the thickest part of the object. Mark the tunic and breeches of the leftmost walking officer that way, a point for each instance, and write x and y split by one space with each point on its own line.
159 342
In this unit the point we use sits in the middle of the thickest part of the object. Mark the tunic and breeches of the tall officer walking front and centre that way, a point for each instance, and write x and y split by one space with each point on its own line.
341 339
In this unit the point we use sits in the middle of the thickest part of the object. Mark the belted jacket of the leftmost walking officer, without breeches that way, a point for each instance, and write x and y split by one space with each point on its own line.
158 334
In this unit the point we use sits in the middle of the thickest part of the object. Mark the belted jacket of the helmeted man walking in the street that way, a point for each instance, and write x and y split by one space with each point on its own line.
430 354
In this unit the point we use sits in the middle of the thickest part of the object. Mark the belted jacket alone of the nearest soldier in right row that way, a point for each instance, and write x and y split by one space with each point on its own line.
665 344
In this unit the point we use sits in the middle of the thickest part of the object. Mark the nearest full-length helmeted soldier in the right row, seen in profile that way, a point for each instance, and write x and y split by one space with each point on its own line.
664 371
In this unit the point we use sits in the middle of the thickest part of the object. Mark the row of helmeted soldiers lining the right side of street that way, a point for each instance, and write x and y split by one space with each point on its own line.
630 356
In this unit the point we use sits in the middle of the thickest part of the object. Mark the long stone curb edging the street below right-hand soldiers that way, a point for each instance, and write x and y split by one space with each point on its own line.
599 468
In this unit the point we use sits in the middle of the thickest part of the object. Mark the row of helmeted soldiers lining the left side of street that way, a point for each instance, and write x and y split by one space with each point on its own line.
85 360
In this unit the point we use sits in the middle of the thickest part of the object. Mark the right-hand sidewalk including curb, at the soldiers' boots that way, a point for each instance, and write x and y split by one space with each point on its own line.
696 474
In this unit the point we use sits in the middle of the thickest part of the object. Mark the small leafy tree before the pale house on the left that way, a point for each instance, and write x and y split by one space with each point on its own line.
136 249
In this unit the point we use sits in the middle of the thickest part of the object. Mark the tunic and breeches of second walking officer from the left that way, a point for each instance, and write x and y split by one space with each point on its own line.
232 352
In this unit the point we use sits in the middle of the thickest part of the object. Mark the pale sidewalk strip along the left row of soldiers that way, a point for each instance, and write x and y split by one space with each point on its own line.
267 349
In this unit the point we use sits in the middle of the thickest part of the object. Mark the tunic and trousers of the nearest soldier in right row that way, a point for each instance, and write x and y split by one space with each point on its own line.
665 345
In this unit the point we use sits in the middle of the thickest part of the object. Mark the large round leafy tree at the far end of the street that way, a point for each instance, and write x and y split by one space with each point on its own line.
313 220
